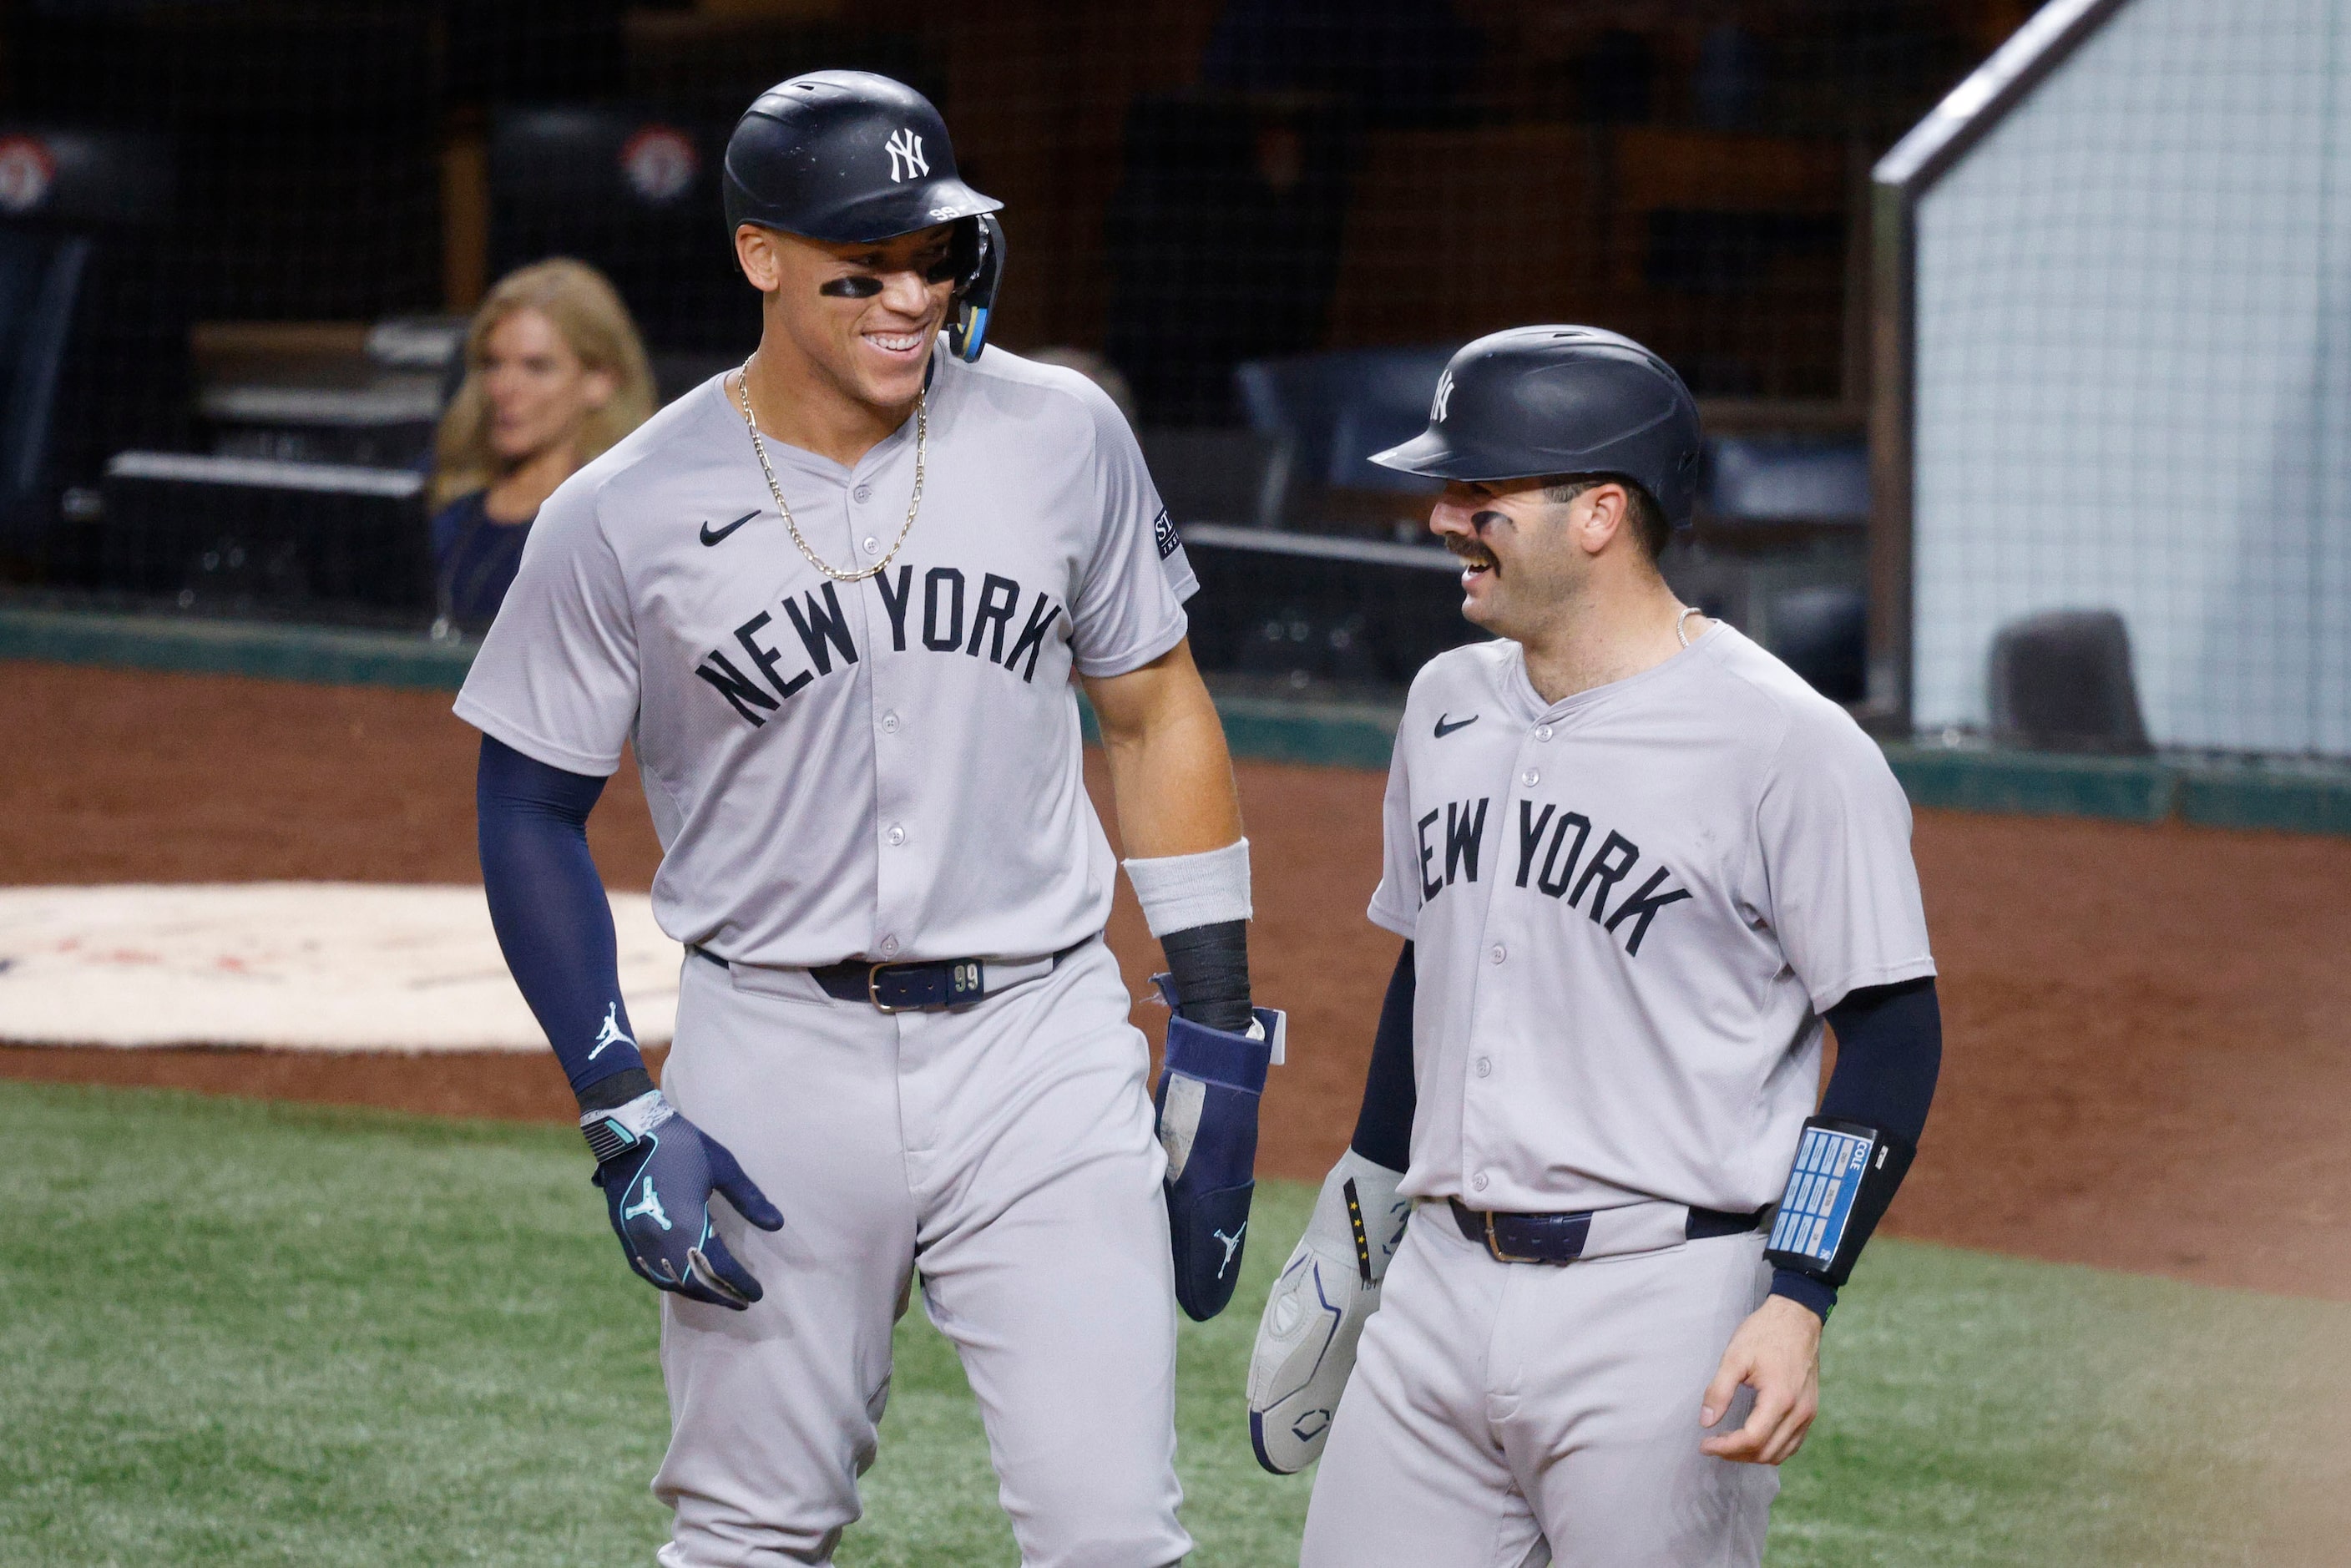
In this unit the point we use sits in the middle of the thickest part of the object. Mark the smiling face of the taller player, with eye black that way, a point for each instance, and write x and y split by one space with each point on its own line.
857 316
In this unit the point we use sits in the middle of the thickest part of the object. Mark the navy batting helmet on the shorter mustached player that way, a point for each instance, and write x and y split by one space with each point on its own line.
1560 401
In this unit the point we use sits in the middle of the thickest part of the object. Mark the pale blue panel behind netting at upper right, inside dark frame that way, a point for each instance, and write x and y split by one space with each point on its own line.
2134 394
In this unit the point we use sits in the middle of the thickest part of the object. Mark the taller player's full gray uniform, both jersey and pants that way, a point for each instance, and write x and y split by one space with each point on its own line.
885 770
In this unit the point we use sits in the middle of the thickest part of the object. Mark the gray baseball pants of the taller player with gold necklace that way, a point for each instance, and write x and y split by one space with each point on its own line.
1007 1153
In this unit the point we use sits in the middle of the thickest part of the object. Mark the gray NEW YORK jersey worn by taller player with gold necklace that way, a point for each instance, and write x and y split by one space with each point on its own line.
850 770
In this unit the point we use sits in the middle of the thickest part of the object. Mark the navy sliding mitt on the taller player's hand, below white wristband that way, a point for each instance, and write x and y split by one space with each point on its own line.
1207 1106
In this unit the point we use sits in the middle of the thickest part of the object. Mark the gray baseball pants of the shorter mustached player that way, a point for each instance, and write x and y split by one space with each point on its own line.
1508 1414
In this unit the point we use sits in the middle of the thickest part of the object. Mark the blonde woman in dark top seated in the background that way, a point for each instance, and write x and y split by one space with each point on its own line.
554 377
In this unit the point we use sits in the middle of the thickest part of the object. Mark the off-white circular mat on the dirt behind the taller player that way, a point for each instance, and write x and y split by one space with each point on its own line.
295 965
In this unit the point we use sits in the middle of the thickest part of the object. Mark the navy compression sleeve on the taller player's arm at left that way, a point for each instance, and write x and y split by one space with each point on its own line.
554 923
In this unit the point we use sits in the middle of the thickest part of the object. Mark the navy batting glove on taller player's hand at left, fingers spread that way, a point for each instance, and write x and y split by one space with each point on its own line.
657 1172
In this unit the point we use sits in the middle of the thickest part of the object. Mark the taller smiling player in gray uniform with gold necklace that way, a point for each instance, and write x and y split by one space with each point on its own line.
838 603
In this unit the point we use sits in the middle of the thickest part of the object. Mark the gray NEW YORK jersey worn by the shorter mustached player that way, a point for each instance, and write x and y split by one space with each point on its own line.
1630 911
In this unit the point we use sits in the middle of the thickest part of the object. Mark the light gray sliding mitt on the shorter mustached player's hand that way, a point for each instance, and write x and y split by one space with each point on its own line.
1318 1311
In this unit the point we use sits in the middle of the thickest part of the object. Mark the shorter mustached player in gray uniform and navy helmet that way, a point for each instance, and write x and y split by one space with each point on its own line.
1637 864
